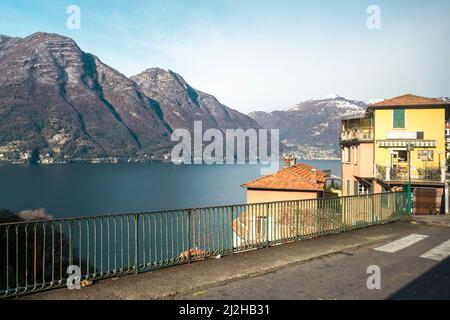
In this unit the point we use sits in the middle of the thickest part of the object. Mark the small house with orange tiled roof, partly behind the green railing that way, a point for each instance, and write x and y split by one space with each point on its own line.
294 182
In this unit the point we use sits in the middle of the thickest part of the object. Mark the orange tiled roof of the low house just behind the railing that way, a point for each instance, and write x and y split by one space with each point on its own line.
298 177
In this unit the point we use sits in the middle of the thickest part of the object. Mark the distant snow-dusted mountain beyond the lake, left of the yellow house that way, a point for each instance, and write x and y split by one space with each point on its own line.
314 122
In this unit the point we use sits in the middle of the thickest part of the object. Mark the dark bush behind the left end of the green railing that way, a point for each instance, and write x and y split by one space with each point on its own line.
26 252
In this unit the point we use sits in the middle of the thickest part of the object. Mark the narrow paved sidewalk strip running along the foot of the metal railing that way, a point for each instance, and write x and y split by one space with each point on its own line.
184 279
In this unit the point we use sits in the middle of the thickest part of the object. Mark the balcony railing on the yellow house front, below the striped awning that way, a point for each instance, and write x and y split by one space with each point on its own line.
400 173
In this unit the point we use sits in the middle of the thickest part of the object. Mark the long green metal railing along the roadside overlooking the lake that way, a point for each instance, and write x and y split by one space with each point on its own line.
34 256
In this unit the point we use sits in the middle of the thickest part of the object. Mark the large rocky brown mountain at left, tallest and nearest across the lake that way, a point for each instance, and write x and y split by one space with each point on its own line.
56 98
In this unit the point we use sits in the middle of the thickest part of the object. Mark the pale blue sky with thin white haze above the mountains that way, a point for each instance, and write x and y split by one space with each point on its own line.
261 55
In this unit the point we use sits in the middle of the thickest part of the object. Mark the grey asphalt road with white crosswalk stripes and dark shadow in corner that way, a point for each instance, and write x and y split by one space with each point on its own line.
404 274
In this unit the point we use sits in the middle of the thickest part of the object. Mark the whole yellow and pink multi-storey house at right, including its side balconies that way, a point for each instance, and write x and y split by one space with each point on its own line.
396 140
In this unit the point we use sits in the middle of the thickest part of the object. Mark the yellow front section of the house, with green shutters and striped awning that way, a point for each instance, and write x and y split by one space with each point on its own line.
410 121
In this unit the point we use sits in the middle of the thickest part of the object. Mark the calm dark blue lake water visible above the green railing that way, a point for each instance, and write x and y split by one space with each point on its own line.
69 190
